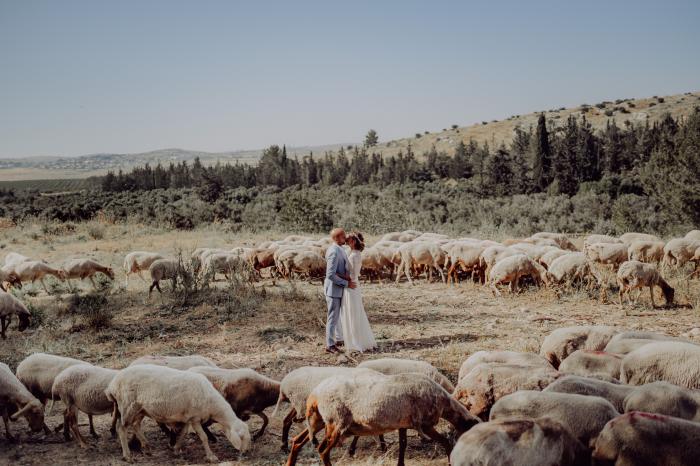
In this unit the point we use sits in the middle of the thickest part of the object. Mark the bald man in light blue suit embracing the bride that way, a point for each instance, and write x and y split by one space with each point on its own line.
334 285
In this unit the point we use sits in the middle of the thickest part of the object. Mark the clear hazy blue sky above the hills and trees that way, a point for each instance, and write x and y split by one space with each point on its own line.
79 77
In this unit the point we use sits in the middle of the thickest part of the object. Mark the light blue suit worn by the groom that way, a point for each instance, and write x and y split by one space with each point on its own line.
334 286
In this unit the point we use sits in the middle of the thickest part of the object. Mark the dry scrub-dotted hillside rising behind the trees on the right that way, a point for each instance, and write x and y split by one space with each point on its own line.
597 113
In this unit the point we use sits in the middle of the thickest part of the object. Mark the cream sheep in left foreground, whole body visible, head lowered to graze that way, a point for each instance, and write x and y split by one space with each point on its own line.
173 397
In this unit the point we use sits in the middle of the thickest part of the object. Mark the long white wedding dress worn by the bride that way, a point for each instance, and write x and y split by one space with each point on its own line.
357 333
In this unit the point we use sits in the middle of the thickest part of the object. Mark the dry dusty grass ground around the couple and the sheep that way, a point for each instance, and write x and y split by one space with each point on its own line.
279 329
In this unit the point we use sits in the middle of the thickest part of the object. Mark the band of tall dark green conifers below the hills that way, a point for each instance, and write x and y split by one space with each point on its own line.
659 160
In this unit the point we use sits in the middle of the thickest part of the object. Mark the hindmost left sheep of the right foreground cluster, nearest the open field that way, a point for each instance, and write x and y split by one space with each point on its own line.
560 343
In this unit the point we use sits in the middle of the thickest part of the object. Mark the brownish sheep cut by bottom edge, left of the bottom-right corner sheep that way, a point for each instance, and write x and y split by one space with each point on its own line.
522 442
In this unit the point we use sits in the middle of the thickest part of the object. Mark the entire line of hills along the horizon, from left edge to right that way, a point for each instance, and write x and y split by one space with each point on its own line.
495 132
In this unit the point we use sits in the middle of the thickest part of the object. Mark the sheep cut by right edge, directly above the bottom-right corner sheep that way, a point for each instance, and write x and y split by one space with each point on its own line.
664 398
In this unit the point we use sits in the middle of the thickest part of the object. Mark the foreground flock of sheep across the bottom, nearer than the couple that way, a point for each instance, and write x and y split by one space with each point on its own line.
594 394
